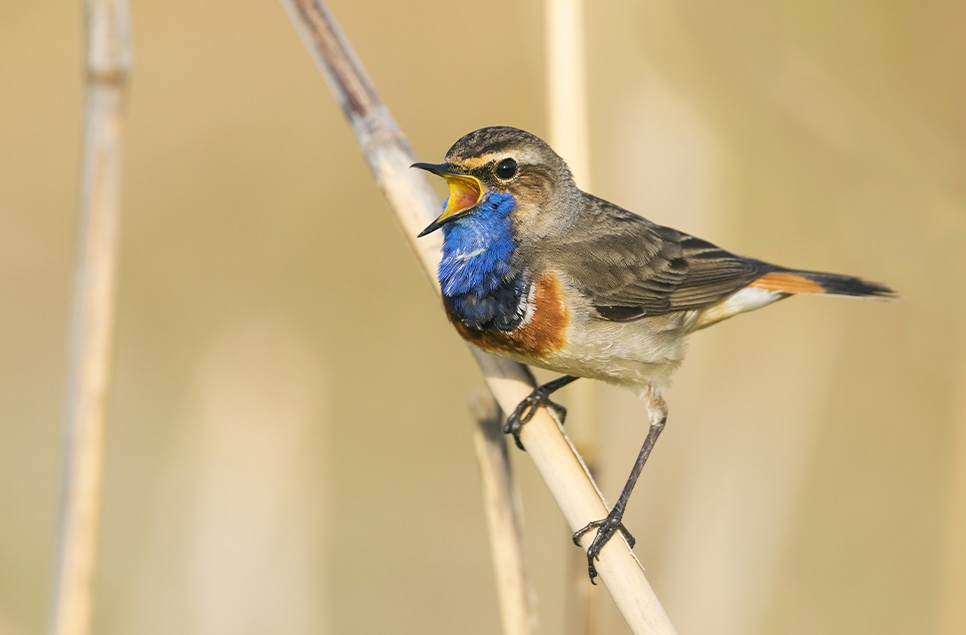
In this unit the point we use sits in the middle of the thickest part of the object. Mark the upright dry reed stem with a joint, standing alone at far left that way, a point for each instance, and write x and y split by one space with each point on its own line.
92 320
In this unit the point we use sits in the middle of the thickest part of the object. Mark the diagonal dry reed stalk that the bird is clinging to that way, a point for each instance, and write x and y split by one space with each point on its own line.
413 203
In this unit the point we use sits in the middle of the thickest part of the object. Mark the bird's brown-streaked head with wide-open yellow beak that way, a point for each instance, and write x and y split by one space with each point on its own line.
510 161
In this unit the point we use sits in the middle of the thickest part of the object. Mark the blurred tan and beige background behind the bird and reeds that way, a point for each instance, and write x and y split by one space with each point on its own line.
289 449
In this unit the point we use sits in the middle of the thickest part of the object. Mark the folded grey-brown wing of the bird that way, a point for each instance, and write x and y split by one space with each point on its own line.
631 268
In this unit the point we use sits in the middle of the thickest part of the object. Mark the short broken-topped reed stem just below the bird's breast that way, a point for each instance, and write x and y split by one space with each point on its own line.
501 502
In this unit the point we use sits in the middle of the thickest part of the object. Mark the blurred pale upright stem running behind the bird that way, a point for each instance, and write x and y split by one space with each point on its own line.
568 124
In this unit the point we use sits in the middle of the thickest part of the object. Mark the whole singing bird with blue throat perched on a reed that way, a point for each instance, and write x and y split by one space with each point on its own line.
536 270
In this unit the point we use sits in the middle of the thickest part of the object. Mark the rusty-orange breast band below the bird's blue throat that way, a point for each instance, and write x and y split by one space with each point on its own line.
541 332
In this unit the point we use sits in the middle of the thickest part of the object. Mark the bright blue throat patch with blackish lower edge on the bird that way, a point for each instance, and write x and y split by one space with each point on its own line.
475 275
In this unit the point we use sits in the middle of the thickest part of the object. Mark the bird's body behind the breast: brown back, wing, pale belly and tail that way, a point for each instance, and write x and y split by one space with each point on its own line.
633 290
